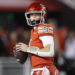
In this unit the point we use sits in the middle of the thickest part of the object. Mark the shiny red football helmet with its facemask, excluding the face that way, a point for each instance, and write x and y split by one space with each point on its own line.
35 8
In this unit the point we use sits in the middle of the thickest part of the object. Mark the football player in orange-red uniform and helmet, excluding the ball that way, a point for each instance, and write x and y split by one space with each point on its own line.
41 44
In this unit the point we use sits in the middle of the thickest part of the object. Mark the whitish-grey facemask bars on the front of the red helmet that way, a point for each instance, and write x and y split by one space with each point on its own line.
35 22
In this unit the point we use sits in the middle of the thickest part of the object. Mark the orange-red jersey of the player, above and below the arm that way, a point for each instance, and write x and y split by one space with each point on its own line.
41 30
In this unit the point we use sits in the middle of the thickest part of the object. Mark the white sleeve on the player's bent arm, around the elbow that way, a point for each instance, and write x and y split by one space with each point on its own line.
47 40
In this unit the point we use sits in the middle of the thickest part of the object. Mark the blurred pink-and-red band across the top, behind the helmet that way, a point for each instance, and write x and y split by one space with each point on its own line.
21 5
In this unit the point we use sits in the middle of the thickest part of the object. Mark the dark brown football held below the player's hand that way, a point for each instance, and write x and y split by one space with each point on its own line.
20 56
